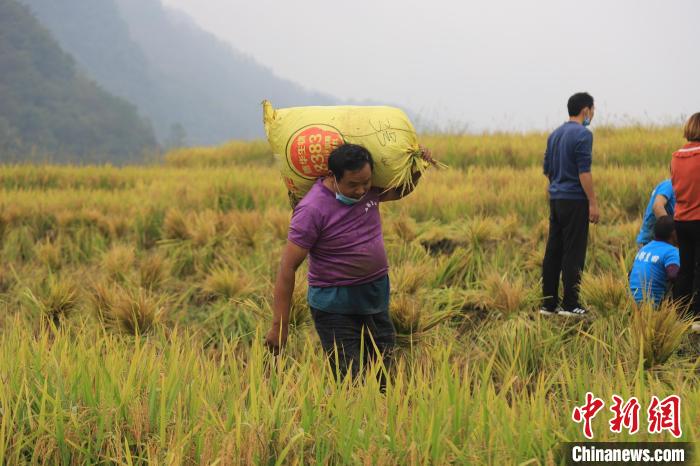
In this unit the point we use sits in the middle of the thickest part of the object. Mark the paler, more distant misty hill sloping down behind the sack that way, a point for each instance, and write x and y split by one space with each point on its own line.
193 87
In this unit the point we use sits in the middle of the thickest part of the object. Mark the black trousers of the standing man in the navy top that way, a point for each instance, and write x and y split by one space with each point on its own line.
566 252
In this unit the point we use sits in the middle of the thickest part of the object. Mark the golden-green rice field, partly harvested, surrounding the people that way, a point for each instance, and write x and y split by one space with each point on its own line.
134 301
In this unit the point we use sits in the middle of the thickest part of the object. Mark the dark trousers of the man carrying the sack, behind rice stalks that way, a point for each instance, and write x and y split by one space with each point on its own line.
350 333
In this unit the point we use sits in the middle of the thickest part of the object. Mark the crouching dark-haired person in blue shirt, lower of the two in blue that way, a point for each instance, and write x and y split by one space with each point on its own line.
656 264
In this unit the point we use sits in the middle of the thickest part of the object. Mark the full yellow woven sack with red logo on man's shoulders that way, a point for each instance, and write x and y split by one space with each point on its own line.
303 137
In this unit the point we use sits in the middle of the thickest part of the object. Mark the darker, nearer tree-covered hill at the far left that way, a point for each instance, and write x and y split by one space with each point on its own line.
49 109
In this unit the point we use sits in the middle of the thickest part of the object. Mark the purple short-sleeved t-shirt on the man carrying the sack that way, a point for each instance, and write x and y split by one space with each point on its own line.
345 243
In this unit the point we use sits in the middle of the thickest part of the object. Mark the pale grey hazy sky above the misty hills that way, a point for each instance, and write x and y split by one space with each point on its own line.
477 64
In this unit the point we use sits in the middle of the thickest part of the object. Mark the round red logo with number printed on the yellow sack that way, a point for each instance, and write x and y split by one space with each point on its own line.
309 148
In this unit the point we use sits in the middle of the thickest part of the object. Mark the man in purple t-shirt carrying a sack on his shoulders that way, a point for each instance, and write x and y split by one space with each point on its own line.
337 224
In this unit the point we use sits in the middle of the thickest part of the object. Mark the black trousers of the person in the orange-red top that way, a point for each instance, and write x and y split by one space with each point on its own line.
687 286
